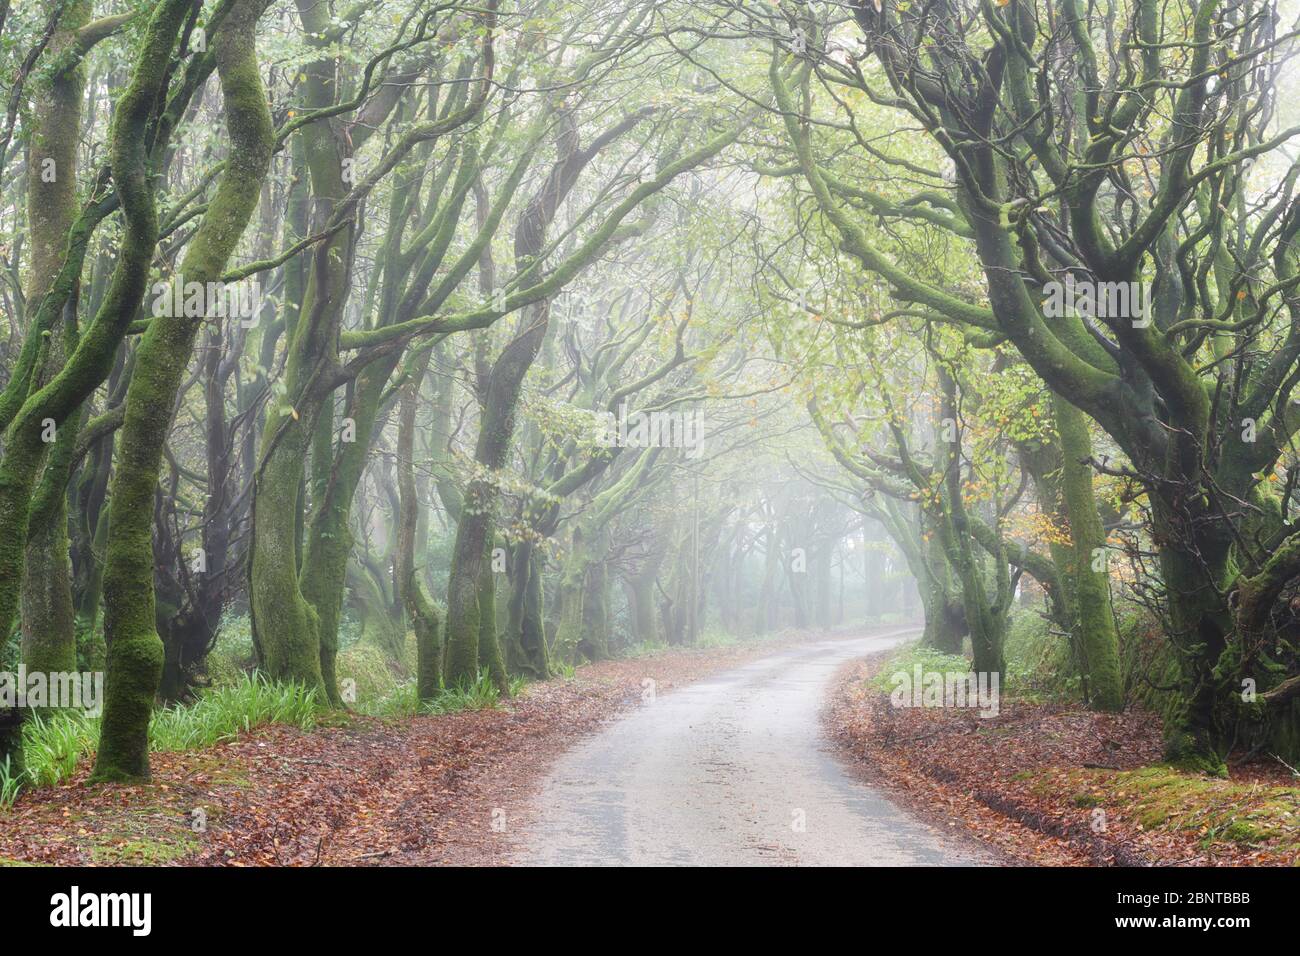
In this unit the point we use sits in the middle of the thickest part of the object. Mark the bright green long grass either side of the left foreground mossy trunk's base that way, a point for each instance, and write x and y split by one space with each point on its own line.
55 745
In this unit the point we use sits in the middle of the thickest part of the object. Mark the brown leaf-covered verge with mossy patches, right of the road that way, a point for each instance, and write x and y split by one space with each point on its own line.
1051 784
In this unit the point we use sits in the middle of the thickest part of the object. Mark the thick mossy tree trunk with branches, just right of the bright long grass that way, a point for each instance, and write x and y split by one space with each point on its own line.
309 605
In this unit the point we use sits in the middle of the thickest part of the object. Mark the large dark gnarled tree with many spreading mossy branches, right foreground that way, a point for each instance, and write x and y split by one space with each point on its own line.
1164 410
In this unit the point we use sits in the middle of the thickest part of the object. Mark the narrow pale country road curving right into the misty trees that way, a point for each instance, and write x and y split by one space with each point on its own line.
731 771
